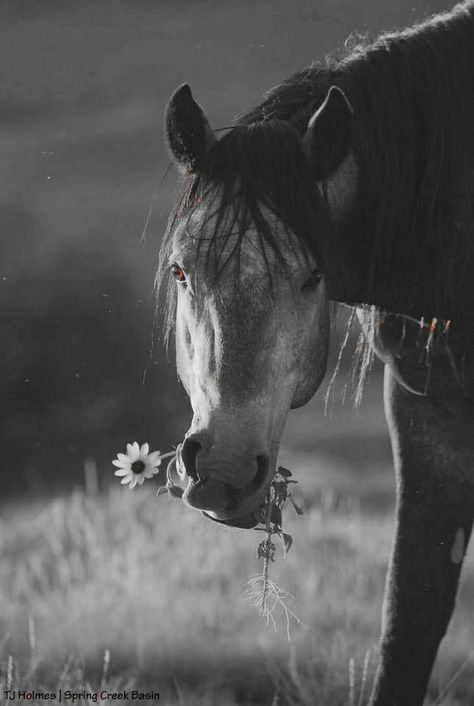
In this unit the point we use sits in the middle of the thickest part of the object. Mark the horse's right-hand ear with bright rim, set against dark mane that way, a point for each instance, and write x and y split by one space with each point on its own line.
328 136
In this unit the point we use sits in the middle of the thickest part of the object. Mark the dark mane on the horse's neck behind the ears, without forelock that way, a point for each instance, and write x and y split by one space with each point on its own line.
411 160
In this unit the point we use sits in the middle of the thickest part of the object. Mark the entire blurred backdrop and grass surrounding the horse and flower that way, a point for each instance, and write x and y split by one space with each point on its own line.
83 207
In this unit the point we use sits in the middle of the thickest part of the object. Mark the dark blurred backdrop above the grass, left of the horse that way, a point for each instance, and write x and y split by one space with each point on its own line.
82 92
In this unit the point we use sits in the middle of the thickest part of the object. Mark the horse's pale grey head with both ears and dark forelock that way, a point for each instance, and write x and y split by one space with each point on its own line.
247 248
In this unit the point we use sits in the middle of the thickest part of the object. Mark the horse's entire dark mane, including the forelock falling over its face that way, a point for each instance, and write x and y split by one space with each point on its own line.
408 229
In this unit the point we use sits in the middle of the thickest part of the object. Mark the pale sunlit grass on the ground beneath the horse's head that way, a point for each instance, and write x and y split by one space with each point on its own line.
155 588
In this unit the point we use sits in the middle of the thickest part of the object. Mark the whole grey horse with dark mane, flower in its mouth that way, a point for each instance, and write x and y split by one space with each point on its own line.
351 182
